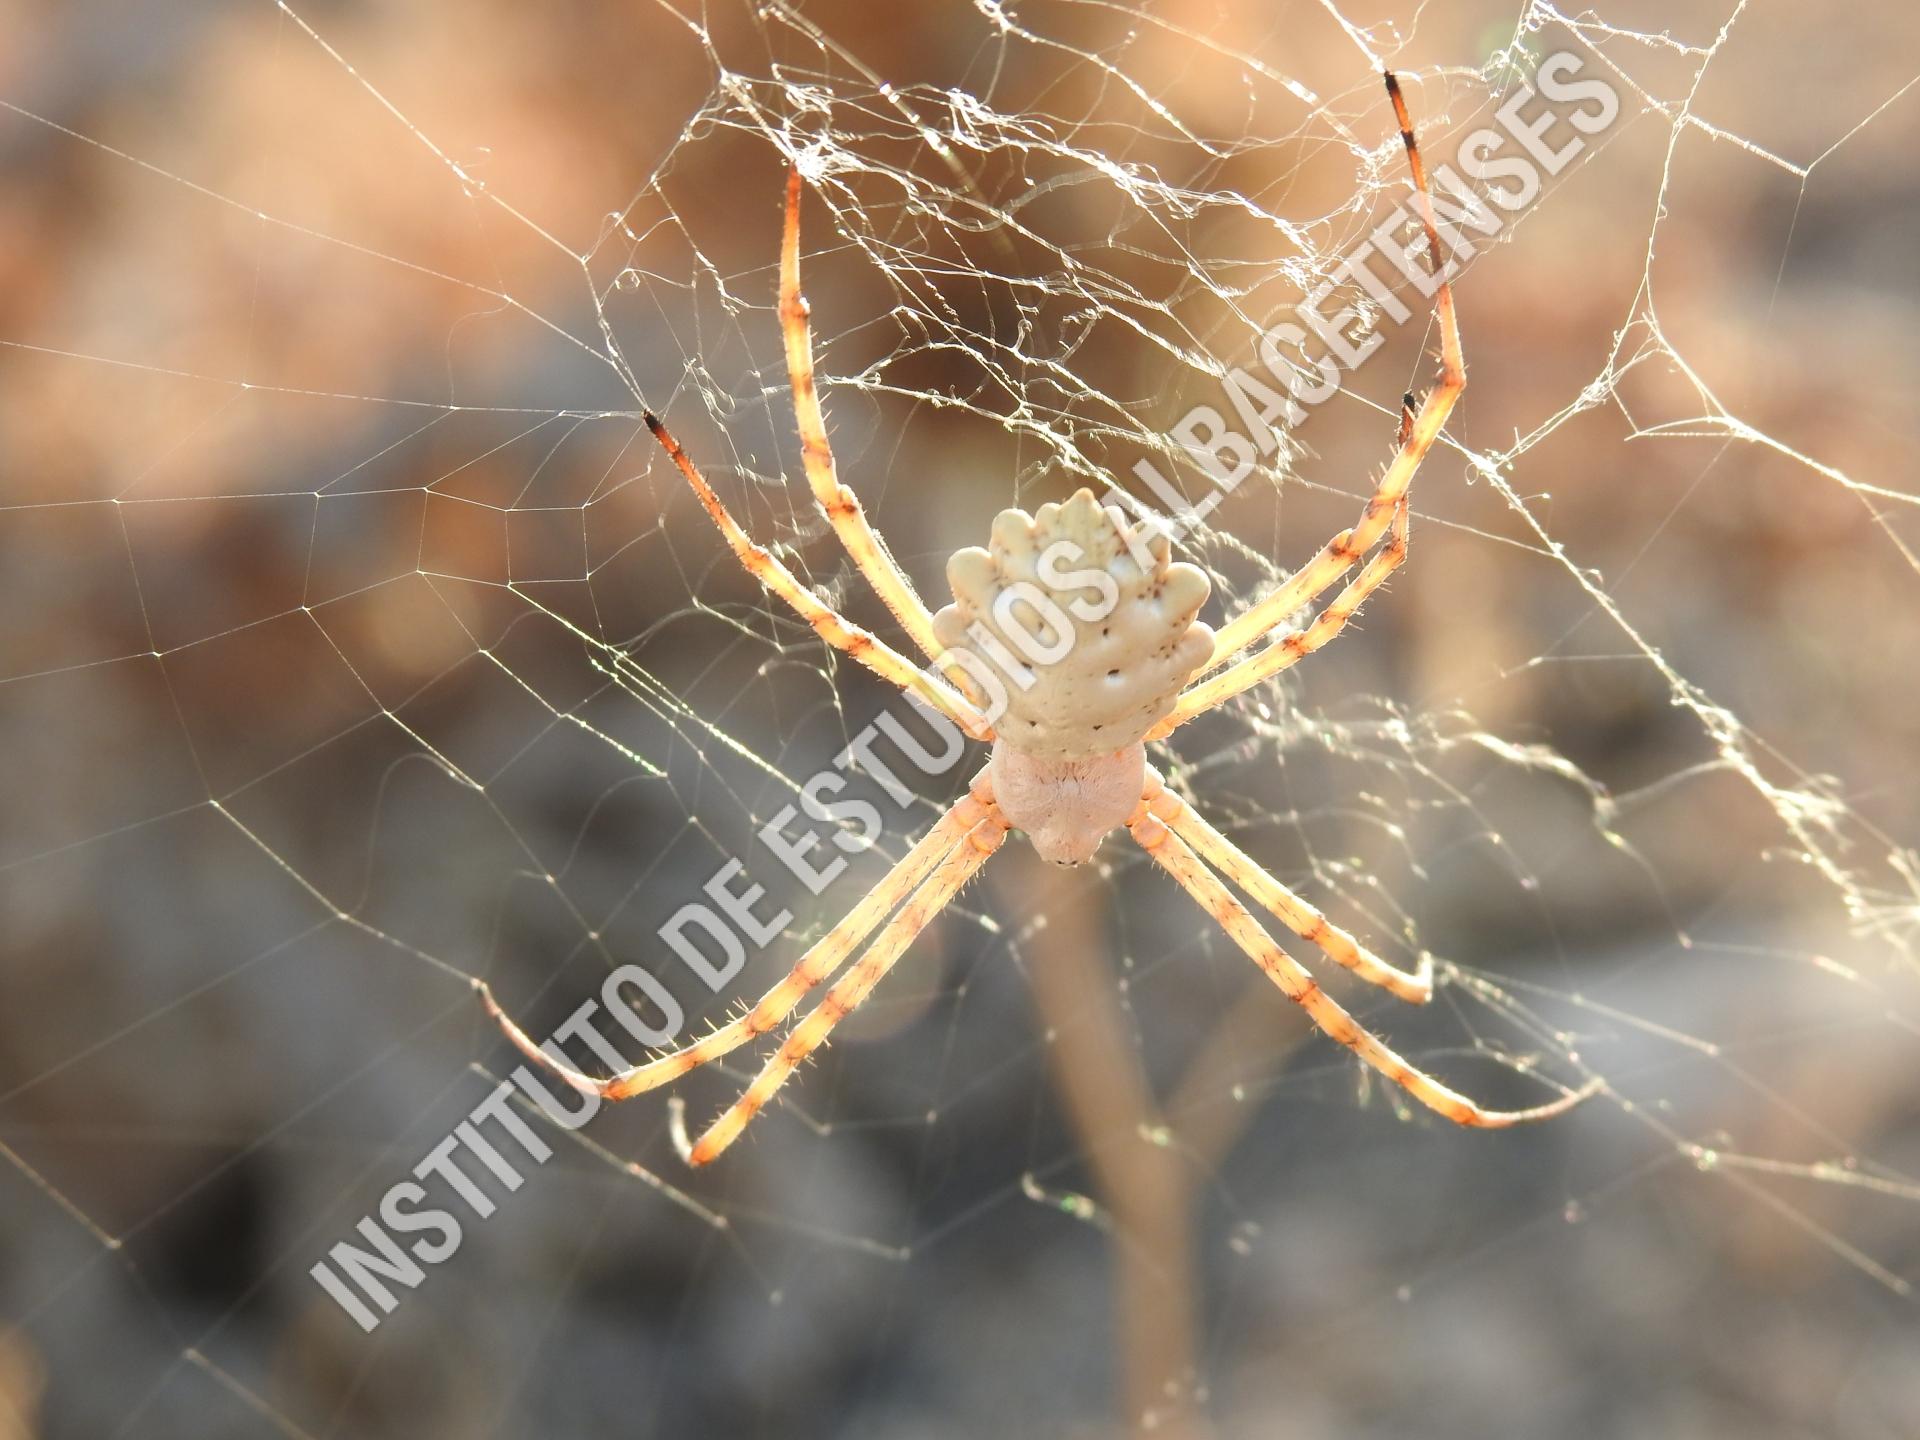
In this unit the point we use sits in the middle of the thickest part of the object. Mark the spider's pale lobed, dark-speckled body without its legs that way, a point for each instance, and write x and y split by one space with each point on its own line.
1093 627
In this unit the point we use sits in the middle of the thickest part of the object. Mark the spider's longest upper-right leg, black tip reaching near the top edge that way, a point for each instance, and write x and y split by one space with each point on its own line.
1416 439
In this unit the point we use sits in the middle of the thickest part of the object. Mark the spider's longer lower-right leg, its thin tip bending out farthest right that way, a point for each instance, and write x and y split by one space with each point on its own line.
1174 855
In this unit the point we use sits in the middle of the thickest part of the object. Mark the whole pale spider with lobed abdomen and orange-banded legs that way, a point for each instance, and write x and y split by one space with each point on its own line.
1070 754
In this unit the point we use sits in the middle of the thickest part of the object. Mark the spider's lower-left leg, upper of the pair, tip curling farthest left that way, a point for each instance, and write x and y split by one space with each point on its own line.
821 961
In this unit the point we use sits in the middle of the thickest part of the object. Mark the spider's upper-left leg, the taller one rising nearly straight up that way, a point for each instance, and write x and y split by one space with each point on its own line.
842 506
